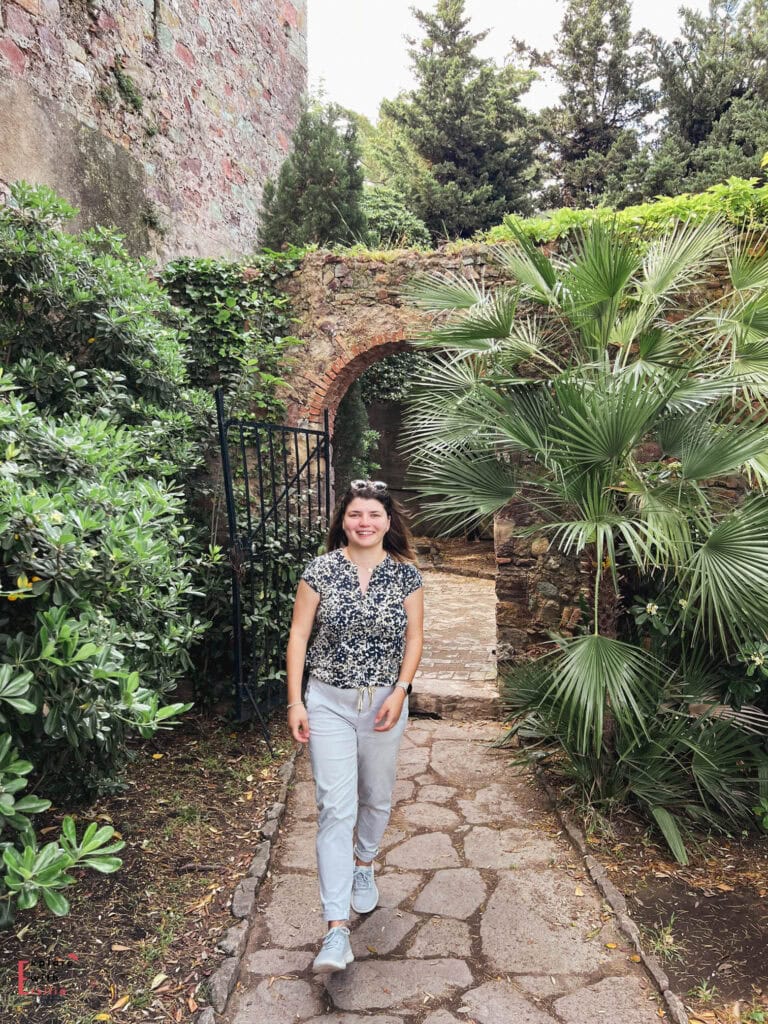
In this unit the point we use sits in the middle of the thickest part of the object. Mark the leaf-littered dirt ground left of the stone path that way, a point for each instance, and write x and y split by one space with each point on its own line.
139 945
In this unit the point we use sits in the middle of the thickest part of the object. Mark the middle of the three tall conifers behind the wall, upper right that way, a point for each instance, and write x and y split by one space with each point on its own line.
596 127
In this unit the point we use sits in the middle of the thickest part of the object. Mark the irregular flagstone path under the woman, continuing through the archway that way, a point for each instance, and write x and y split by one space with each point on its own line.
486 916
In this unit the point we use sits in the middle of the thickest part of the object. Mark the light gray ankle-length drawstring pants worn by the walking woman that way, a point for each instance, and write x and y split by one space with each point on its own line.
355 771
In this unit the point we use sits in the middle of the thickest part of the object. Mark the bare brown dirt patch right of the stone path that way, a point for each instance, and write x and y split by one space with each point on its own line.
707 922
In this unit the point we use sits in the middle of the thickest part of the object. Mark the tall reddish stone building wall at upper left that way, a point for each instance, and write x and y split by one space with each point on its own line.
162 117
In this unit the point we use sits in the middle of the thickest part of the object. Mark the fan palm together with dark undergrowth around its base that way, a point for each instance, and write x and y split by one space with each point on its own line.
594 389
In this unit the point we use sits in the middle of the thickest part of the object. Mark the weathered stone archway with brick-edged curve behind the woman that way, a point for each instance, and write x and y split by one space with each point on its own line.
352 313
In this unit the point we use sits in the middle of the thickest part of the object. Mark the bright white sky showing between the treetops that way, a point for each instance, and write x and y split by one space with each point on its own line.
358 51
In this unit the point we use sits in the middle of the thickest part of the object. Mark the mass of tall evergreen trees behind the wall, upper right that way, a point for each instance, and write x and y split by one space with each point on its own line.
637 117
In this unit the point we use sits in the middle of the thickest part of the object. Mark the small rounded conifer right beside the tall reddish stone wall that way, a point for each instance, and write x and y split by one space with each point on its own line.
319 191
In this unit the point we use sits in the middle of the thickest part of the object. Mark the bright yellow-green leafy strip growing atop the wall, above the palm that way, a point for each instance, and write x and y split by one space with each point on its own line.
739 201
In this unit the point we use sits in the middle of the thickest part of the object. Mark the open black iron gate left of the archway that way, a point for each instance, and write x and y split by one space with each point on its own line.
278 489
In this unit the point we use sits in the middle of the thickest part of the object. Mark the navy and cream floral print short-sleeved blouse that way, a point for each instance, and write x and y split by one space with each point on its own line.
360 638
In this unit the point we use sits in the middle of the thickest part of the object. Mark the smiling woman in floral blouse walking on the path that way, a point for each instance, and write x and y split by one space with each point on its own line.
365 598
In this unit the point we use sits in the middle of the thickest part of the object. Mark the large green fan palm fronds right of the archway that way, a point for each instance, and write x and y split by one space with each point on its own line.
558 387
